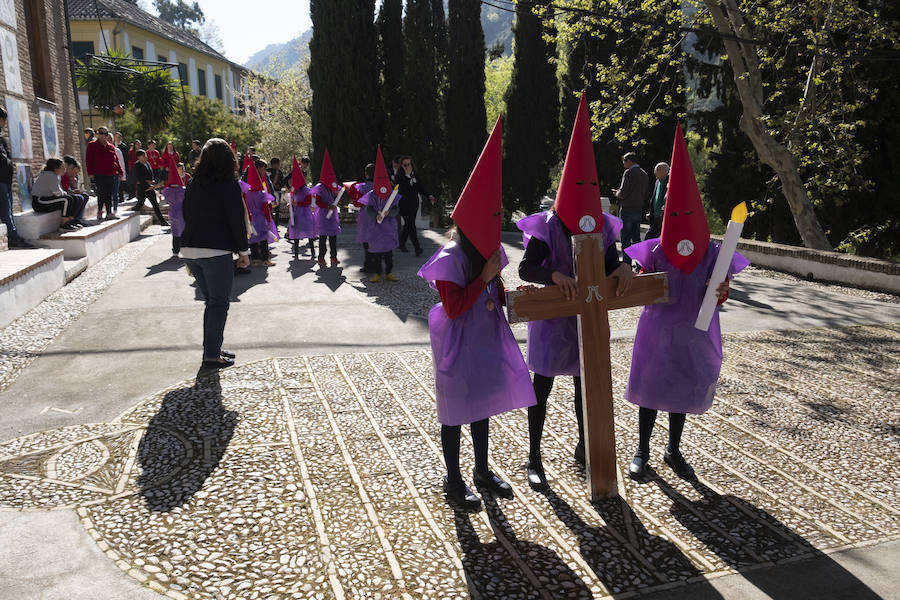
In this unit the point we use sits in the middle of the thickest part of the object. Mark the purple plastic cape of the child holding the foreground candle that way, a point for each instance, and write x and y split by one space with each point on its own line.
674 366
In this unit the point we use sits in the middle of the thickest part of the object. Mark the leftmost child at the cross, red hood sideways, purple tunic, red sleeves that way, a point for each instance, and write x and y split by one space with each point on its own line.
478 368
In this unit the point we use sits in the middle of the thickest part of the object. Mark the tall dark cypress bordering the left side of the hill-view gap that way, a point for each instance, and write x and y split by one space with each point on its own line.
466 126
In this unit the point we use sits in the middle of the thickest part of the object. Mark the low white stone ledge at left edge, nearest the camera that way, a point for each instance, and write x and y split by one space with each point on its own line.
26 278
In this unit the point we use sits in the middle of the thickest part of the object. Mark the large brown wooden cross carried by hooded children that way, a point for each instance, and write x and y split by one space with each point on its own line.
595 298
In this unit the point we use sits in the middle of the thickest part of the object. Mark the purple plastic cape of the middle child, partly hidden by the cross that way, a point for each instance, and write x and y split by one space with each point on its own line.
553 343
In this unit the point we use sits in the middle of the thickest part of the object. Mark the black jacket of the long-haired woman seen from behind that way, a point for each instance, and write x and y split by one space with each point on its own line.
214 216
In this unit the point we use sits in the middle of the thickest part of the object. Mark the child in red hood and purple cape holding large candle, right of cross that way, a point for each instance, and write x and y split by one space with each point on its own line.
674 366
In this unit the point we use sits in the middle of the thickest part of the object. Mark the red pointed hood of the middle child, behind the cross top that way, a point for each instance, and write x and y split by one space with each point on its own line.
578 202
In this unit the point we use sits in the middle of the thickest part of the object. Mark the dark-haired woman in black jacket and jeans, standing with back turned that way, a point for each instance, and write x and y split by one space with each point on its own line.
214 230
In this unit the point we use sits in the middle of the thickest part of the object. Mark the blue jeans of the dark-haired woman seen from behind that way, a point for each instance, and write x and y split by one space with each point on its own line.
214 278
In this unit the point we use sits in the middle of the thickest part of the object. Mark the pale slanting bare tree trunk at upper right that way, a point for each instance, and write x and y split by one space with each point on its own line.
744 64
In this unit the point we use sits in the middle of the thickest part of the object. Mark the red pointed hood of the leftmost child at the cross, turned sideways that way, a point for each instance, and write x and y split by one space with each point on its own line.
478 212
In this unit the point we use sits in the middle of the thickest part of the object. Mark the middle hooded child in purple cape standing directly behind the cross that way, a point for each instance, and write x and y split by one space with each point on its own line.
553 347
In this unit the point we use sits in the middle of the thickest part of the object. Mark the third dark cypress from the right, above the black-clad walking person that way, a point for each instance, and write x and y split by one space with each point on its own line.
422 134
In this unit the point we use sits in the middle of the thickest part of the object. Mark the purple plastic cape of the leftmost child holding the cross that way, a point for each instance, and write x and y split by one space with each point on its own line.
478 367
